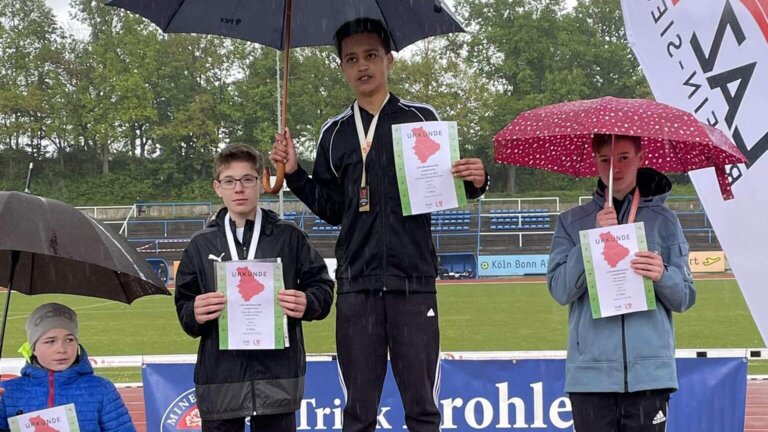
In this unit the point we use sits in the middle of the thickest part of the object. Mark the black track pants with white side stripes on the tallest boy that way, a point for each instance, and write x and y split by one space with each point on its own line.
368 325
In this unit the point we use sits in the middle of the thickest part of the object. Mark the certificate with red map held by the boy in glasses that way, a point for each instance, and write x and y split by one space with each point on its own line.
252 318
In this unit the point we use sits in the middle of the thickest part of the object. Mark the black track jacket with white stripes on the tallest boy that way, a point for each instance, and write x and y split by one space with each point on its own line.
381 249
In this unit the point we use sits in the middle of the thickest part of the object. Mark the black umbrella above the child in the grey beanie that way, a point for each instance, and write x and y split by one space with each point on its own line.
47 246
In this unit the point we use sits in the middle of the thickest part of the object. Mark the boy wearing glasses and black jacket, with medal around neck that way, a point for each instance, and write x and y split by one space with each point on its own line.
265 385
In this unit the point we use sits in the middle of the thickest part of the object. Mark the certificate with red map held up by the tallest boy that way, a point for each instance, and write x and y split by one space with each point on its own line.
424 153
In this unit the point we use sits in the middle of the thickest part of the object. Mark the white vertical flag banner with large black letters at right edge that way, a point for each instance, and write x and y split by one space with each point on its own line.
710 57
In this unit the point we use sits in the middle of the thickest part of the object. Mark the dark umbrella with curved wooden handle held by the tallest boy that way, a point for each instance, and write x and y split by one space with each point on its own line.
282 24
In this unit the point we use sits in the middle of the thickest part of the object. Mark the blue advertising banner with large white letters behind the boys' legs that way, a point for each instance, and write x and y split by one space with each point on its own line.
487 395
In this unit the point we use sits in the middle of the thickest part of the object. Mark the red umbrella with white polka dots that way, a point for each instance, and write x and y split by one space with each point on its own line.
558 138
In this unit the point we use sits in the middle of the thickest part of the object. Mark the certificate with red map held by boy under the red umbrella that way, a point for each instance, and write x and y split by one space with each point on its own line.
614 288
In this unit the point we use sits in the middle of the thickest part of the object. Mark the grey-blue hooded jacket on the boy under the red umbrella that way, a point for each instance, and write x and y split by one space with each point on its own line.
631 352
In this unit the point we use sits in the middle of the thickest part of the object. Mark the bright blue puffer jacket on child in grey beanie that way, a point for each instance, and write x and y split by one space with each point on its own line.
97 402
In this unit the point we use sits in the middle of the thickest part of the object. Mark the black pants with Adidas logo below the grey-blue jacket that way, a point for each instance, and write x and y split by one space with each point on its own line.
643 411
